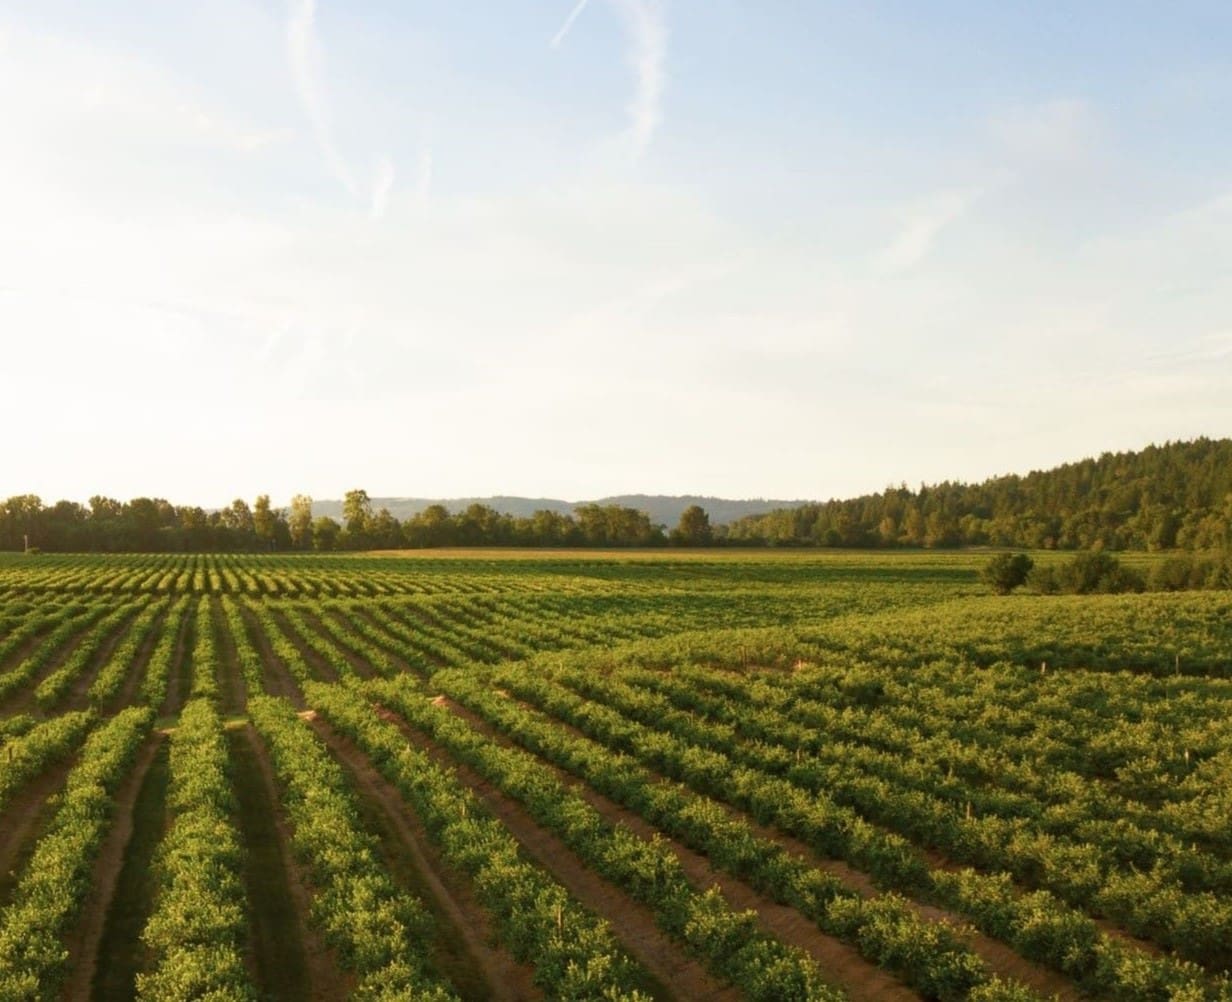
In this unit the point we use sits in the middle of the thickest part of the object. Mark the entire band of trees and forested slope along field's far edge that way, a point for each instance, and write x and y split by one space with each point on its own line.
1172 496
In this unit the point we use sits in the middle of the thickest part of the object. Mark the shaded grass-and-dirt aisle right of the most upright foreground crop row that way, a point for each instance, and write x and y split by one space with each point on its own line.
289 959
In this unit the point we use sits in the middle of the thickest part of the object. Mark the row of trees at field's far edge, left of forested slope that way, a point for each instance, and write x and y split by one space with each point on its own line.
157 526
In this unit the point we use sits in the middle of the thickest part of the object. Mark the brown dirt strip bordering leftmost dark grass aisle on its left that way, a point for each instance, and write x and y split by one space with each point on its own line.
83 941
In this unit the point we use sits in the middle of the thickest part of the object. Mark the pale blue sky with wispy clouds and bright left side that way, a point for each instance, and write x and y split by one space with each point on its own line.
573 250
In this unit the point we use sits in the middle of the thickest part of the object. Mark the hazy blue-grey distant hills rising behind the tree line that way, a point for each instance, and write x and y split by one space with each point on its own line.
663 510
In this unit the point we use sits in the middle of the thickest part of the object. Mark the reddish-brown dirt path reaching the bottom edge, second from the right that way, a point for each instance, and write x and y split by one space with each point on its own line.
863 980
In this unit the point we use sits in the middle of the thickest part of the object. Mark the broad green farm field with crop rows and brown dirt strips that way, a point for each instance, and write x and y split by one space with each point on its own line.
691 776
